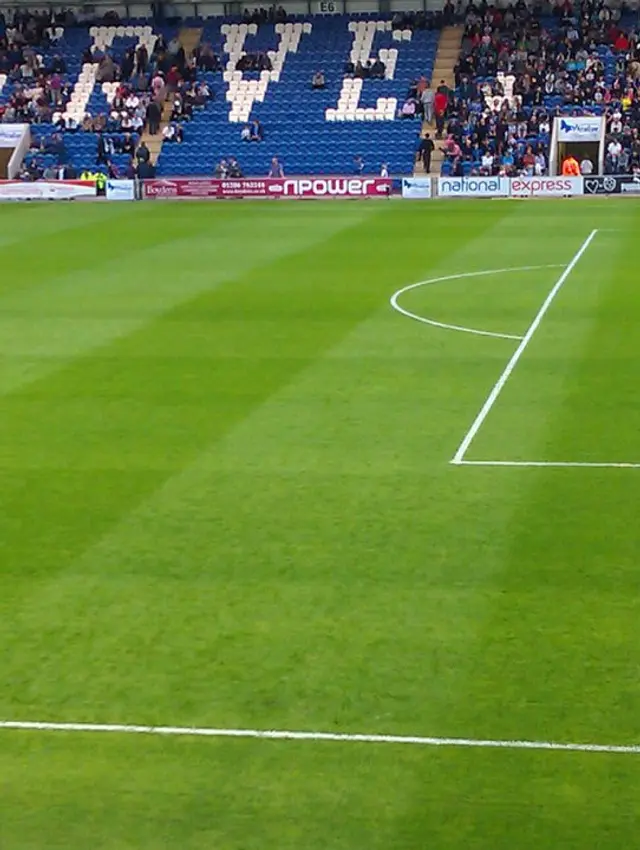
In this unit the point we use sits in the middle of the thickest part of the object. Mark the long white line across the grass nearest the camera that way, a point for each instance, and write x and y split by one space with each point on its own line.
284 735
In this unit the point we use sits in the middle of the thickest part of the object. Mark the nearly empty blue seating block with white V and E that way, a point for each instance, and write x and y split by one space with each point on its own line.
310 131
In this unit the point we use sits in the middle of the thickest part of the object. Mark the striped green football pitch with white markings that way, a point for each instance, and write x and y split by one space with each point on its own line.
364 476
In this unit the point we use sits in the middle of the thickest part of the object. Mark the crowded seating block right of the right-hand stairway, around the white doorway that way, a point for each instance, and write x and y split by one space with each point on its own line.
517 72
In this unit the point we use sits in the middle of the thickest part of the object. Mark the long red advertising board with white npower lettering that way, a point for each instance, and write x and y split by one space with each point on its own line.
288 187
